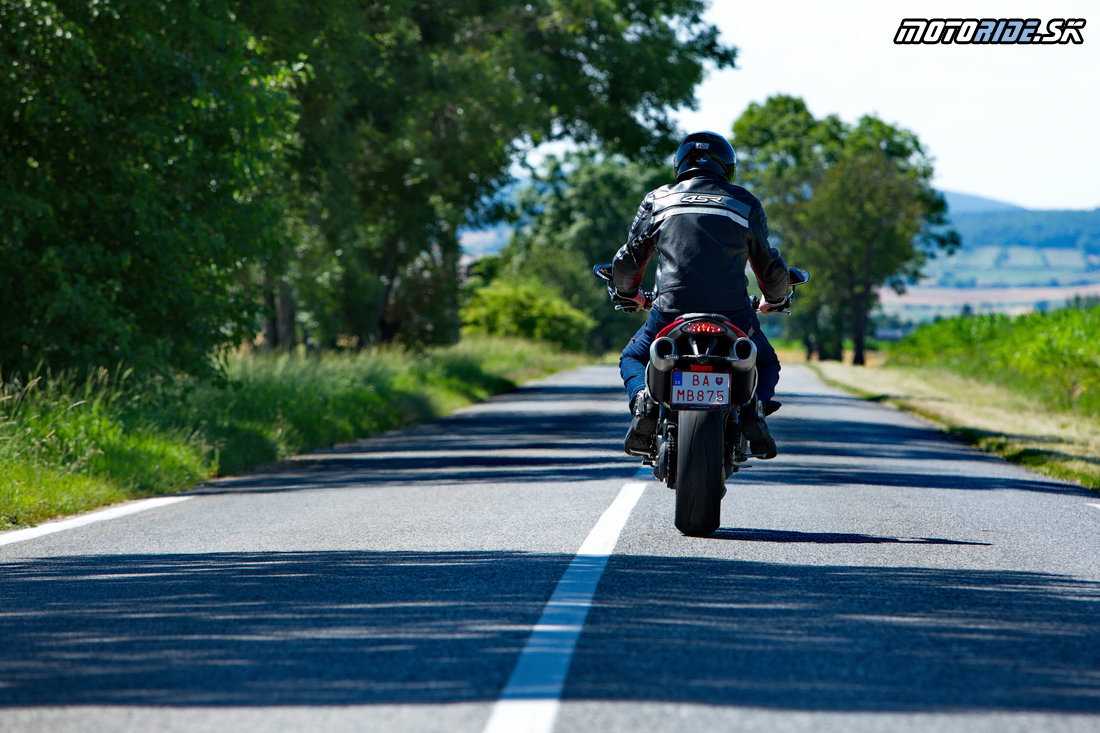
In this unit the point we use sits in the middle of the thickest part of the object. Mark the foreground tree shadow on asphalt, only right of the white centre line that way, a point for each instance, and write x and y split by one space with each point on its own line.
855 639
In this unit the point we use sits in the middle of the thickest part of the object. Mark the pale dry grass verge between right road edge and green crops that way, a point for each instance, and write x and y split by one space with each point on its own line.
1064 445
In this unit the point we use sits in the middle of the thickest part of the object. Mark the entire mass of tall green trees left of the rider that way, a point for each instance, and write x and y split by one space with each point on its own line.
170 169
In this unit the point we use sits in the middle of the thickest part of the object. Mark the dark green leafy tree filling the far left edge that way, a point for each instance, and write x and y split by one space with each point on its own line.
140 145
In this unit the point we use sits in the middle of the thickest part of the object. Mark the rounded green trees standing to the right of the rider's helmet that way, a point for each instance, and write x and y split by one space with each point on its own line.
853 204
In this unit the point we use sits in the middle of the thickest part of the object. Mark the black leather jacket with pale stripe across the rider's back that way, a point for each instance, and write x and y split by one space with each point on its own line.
707 231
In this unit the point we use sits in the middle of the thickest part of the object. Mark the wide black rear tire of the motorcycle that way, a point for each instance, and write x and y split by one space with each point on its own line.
700 472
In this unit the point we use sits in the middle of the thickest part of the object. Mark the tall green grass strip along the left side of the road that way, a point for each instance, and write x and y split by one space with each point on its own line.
70 446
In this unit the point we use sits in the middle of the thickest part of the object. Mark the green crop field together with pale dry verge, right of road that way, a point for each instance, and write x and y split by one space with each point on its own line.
1027 389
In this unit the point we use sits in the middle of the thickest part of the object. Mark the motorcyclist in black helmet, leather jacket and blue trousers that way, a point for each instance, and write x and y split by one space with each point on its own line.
706 231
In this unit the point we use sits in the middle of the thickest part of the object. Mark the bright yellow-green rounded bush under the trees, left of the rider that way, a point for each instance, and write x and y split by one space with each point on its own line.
526 311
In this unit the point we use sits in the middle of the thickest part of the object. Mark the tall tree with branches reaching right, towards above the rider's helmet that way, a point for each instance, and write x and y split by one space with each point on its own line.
416 112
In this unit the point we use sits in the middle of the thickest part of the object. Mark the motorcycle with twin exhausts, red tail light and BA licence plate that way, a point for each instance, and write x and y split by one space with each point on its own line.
702 371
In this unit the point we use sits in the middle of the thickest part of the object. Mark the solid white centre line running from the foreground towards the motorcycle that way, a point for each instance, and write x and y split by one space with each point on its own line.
531 701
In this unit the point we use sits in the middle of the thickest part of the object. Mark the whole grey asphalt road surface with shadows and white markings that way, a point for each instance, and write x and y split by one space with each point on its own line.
508 568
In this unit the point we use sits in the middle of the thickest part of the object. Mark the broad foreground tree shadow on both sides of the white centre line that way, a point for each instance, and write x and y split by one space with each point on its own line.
358 628
